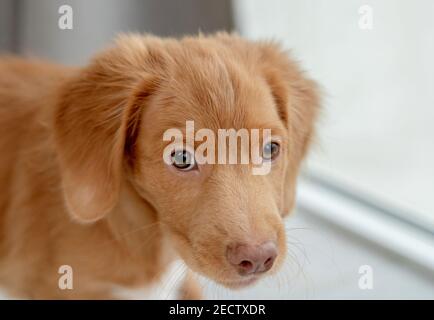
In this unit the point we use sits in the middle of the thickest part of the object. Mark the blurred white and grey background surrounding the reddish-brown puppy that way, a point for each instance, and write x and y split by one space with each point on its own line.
364 223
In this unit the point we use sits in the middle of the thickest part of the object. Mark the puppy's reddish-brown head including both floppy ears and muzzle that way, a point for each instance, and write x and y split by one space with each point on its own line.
112 125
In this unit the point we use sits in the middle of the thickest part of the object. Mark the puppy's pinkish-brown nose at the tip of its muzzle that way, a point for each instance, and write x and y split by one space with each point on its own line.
250 259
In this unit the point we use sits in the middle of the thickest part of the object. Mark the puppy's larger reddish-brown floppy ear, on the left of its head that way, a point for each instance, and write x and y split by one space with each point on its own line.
95 125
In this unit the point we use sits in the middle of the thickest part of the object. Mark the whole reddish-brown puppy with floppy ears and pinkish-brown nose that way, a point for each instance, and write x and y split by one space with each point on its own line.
83 182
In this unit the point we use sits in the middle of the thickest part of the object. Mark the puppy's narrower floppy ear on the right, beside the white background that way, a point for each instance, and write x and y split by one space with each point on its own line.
298 102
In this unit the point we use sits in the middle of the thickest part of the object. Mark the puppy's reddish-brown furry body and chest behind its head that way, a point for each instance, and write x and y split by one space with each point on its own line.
37 234
